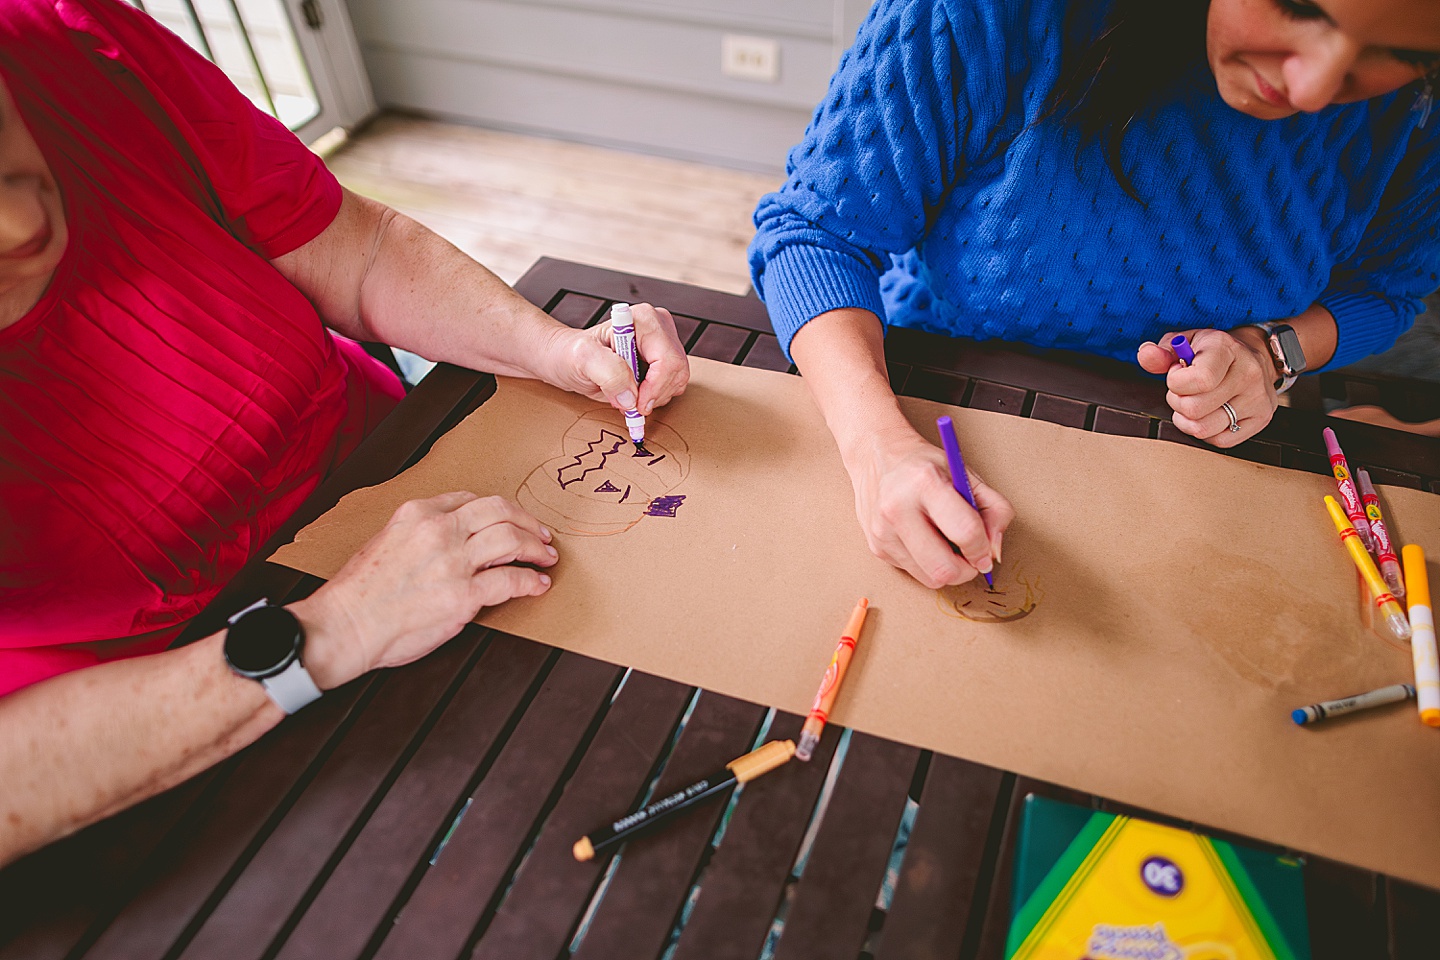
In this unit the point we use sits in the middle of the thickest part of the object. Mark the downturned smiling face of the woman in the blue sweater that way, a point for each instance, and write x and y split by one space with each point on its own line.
1277 58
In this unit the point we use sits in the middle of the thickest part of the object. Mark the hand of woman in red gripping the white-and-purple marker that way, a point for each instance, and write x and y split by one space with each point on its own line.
590 366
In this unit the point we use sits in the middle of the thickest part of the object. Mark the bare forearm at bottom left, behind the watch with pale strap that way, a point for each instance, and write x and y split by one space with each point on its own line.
84 746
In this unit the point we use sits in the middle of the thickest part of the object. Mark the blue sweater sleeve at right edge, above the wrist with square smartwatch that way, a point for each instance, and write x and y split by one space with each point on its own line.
1379 291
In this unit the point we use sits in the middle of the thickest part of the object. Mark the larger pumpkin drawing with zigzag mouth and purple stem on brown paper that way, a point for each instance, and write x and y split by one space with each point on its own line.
601 484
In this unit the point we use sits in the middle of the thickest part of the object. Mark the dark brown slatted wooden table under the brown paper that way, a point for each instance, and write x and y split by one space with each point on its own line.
430 811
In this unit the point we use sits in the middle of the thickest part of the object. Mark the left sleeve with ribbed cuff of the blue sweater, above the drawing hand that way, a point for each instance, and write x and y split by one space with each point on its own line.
876 162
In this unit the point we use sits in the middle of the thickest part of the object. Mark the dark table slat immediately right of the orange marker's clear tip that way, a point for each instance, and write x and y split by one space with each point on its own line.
830 915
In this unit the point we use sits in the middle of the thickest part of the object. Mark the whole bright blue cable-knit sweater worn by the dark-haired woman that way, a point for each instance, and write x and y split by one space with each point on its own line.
899 175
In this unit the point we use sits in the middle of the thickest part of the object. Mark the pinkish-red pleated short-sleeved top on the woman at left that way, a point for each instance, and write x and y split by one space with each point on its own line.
172 398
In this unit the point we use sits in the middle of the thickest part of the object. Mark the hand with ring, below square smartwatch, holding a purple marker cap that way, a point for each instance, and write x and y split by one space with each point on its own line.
1230 368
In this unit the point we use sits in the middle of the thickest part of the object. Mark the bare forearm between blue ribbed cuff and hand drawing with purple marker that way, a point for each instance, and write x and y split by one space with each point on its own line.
842 355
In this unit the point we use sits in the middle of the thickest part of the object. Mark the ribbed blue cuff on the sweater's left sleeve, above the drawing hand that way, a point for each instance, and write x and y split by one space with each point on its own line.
803 283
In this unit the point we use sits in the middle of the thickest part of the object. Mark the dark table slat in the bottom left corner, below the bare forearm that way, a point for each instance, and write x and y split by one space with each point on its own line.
60 892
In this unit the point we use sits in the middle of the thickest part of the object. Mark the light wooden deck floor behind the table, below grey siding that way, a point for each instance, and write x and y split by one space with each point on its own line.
509 199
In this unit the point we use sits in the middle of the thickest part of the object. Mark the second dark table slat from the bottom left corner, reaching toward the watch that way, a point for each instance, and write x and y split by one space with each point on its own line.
264 782
